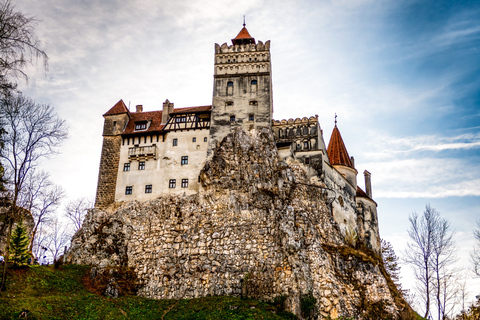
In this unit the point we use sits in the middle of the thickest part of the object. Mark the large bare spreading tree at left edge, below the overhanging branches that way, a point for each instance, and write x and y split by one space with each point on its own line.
34 132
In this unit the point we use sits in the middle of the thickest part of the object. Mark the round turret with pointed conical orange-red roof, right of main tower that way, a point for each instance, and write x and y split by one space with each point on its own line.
339 158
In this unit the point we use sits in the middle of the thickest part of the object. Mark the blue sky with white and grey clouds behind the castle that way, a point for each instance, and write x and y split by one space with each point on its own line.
402 76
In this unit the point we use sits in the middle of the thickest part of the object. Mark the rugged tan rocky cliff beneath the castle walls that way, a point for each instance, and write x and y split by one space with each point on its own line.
258 228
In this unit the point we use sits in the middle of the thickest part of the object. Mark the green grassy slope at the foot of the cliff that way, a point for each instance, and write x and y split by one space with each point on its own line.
48 293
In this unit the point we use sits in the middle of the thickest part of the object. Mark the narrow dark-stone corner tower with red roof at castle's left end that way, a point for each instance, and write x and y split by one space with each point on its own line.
115 121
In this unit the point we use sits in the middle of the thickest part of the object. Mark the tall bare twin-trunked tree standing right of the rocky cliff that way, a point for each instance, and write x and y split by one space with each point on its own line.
431 254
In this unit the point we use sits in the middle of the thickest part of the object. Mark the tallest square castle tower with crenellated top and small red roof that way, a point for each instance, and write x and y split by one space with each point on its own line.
242 87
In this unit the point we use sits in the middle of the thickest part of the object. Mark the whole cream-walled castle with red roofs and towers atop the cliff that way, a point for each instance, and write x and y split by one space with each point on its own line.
149 154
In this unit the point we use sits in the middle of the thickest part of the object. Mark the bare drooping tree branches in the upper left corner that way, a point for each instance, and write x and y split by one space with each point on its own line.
18 45
